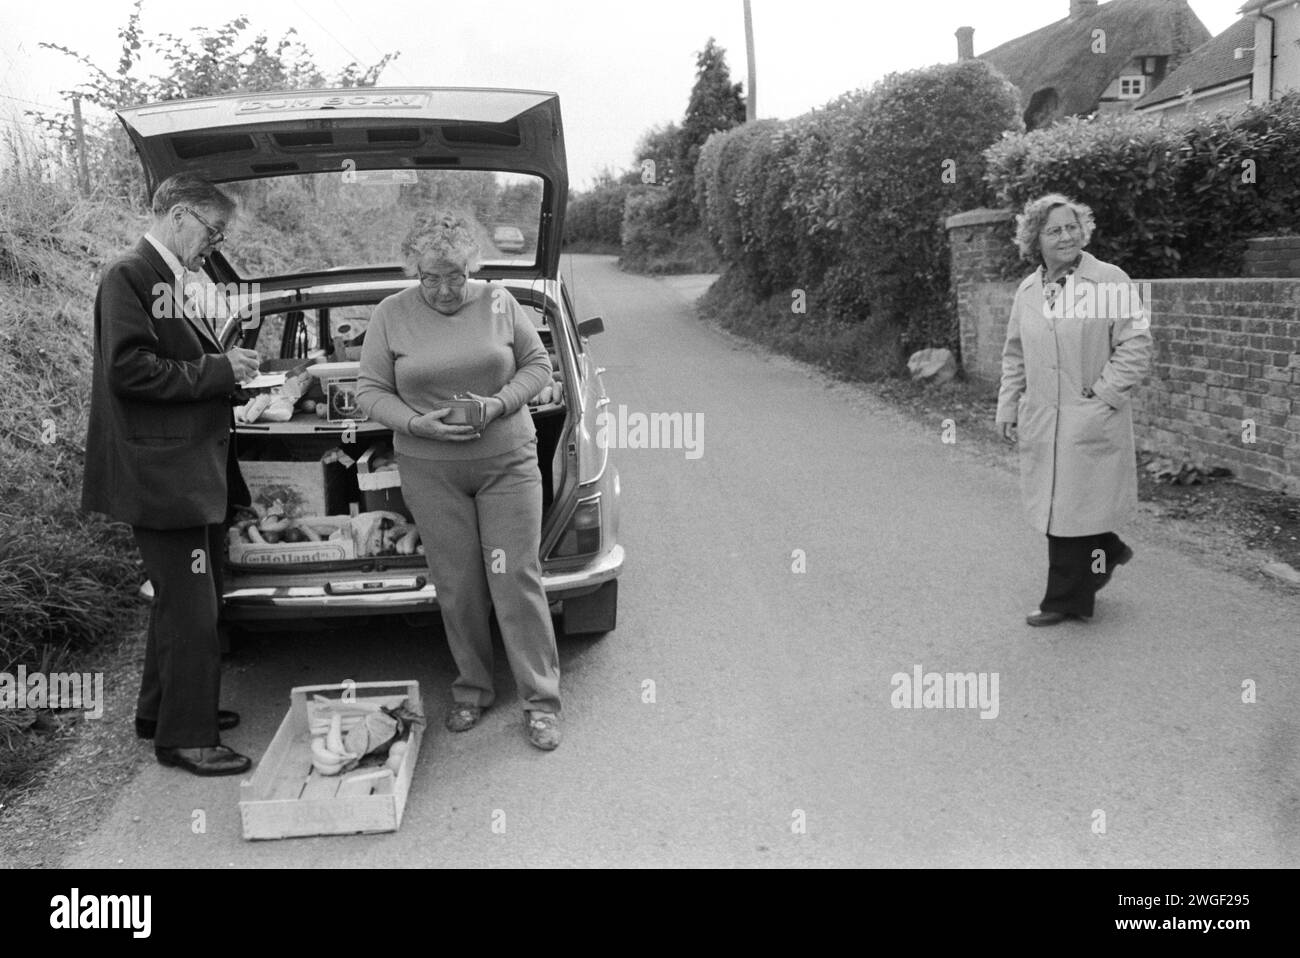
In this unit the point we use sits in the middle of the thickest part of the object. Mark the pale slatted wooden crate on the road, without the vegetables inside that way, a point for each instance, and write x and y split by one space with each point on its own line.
288 799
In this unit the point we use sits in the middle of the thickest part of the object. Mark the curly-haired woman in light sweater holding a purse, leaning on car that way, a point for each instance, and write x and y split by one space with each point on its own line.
475 497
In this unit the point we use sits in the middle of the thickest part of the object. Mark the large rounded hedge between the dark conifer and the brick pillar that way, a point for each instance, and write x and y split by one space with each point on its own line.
848 203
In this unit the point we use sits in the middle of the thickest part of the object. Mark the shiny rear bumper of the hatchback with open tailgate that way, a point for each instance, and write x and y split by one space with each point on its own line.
289 602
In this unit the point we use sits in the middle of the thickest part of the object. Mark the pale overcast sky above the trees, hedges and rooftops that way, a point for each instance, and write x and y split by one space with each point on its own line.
619 67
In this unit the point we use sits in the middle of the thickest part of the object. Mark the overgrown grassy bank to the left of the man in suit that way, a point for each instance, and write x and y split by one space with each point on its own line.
67 582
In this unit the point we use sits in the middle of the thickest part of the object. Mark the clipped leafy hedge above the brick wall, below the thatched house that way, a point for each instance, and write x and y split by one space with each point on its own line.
1178 200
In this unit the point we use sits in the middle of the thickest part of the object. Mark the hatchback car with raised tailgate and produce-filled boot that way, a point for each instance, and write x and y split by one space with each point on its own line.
369 161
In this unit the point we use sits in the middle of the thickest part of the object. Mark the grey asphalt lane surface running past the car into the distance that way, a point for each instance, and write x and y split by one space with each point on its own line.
773 738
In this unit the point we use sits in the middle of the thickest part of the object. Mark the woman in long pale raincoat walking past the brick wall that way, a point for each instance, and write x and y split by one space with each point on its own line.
1077 343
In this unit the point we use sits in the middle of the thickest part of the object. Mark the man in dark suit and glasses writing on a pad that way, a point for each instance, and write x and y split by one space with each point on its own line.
159 456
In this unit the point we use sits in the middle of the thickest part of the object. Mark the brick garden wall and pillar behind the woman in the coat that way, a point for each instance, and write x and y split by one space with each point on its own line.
1228 357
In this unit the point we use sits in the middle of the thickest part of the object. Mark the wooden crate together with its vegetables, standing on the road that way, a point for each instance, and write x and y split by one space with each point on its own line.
341 762
